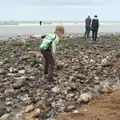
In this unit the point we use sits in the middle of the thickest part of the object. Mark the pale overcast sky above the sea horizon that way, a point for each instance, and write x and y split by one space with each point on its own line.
59 9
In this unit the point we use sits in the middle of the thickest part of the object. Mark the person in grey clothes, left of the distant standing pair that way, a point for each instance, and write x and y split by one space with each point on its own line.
87 26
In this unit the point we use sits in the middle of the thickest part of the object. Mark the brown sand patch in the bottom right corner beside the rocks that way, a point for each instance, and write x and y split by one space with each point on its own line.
105 108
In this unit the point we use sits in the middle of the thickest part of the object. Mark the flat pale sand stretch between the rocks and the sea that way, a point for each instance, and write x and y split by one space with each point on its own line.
7 31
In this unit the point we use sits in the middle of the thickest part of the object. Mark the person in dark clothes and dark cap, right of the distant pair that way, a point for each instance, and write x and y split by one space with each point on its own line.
94 27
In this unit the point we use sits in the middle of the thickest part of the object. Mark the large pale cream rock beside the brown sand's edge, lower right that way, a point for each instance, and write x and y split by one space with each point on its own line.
85 97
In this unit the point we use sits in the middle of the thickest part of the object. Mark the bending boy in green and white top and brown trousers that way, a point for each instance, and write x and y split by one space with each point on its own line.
48 49
